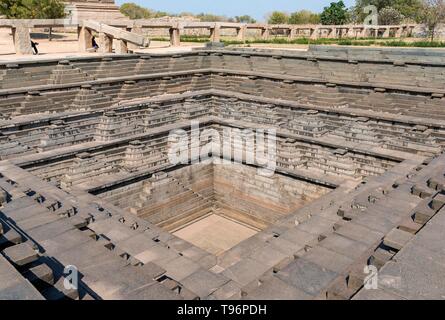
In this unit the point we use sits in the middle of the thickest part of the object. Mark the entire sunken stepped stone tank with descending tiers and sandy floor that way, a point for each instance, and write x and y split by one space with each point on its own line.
86 178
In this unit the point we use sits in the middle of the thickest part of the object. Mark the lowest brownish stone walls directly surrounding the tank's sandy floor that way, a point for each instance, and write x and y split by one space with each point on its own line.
174 199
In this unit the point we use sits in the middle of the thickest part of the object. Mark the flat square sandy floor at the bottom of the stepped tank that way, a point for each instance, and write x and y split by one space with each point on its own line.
215 234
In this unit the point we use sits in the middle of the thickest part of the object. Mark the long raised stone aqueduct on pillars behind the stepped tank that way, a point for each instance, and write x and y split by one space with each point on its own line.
137 32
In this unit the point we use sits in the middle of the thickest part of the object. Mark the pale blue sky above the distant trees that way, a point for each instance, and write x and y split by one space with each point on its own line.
255 8
